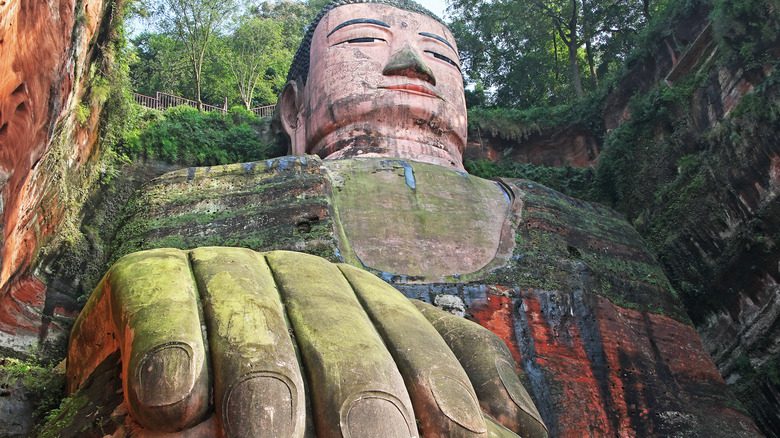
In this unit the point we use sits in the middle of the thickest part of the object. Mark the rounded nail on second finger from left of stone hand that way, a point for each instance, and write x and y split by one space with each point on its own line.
261 406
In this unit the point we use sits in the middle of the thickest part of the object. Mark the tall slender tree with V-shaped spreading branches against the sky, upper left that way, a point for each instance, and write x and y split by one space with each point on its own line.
194 23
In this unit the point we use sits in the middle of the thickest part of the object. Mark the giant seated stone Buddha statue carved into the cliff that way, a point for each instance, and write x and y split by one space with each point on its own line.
227 341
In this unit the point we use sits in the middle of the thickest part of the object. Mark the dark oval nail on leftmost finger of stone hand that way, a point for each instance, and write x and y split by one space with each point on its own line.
165 376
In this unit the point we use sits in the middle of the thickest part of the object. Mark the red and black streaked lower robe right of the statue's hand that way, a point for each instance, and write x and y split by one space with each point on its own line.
612 372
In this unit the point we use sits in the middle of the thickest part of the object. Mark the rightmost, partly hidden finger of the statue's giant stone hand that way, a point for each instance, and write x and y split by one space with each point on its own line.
490 366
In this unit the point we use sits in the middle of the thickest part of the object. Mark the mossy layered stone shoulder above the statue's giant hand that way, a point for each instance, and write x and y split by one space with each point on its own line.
247 205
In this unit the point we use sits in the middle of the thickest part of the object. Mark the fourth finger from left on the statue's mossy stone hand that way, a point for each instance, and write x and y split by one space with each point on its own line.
444 401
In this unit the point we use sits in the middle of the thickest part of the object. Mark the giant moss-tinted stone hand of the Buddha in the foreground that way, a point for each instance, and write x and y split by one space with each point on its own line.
281 344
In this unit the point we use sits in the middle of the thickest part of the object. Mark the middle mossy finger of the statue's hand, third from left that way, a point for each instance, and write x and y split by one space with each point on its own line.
356 389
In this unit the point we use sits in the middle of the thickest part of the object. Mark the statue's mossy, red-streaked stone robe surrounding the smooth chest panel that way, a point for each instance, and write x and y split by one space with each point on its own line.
580 302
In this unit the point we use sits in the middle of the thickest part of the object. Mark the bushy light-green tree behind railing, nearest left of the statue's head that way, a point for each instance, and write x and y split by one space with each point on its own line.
254 46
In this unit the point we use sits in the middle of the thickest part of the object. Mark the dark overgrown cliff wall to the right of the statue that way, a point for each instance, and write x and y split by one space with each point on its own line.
686 149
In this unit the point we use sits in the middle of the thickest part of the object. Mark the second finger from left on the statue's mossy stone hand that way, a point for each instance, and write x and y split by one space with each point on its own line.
258 388
